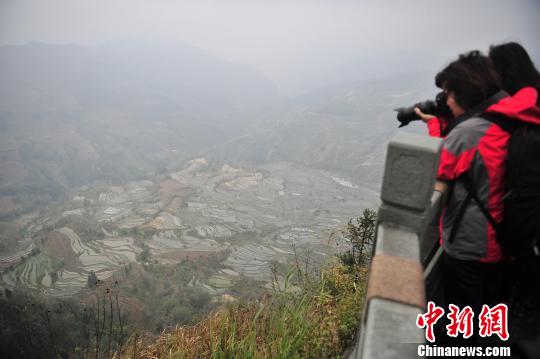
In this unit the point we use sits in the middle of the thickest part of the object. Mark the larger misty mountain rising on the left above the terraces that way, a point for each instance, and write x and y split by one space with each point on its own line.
73 114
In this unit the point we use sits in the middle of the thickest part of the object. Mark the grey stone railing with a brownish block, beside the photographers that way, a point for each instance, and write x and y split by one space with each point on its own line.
403 271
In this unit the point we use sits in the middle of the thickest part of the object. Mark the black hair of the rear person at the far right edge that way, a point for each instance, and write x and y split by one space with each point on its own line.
515 67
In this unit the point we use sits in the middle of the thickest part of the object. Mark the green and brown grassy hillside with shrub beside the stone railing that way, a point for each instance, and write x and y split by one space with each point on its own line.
306 316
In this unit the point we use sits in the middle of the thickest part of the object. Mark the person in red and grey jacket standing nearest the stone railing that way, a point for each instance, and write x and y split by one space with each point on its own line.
472 160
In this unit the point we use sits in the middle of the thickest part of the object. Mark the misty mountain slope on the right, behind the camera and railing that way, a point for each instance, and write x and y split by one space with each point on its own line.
344 127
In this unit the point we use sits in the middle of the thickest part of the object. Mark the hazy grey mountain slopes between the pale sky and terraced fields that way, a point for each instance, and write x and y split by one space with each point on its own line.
72 115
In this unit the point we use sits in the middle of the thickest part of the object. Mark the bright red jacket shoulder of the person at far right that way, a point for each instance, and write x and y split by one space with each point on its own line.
522 106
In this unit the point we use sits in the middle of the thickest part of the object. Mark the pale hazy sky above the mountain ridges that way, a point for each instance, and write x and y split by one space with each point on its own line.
295 43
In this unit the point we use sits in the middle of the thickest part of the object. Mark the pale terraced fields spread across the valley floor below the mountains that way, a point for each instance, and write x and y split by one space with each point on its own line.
256 215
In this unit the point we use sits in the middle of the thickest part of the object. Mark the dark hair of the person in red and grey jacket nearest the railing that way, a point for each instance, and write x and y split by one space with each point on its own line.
471 78
